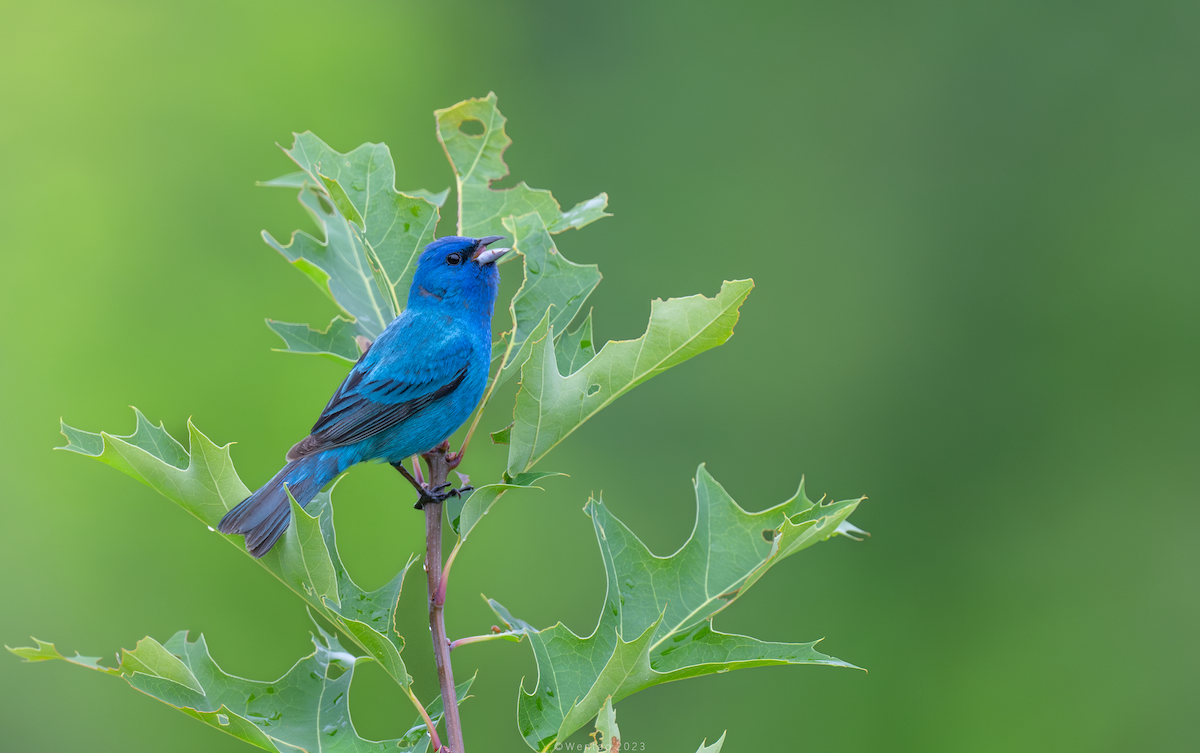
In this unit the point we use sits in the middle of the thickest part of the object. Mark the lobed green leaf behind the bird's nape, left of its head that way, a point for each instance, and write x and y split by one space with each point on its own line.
364 219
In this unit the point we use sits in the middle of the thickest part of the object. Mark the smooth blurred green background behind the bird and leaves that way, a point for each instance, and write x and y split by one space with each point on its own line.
974 230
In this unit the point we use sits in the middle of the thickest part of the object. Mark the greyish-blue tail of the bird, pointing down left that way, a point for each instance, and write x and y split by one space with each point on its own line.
265 516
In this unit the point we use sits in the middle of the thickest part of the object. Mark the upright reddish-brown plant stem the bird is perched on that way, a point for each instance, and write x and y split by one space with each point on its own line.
439 472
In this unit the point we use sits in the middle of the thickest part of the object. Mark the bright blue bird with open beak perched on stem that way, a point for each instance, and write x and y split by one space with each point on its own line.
411 390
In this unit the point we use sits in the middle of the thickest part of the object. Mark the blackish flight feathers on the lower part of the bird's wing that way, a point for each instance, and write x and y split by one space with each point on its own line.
351 417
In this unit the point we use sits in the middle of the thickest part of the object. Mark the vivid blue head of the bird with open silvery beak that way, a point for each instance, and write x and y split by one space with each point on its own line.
457 270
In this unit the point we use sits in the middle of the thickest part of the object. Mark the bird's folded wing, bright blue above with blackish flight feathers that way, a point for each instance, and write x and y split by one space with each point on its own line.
387 388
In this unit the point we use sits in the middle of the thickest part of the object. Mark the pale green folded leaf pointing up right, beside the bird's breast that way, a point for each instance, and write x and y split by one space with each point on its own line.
550 407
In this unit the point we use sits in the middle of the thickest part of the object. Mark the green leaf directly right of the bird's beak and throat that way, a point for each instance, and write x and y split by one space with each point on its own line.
553 285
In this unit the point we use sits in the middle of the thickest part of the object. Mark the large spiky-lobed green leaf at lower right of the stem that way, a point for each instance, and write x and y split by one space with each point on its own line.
657 622
